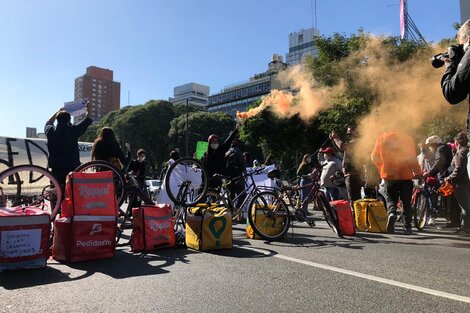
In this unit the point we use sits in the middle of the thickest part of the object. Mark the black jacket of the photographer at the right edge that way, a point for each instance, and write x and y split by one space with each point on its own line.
456 83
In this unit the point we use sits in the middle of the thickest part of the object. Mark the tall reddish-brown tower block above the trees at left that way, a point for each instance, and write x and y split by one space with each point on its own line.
98 87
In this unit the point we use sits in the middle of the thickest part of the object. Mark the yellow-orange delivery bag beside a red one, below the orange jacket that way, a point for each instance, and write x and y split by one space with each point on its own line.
370 216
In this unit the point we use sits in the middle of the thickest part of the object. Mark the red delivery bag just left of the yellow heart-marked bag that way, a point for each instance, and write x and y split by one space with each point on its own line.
153 228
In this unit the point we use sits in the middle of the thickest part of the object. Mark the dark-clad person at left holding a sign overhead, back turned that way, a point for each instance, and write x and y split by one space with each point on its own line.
62 143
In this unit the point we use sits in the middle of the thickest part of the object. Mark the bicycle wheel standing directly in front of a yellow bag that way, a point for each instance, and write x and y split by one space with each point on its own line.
268 215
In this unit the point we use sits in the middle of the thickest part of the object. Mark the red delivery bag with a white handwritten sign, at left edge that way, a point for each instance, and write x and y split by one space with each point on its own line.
24 237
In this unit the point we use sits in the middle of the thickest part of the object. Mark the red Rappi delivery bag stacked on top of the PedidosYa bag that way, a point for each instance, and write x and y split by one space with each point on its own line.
89 194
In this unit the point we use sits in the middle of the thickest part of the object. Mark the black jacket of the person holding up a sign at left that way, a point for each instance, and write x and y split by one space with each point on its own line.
62 143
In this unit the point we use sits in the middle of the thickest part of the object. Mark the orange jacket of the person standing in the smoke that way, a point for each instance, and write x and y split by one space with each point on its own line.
394 155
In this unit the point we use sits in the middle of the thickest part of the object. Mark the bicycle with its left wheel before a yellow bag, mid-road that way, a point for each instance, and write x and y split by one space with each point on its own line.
270 208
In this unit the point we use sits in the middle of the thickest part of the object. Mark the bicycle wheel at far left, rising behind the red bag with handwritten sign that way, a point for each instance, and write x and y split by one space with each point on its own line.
30 185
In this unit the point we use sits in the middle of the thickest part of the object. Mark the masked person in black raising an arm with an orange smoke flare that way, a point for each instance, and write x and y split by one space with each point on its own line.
214 157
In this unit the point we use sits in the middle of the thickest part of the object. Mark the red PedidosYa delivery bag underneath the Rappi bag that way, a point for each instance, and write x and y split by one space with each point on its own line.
84 238
